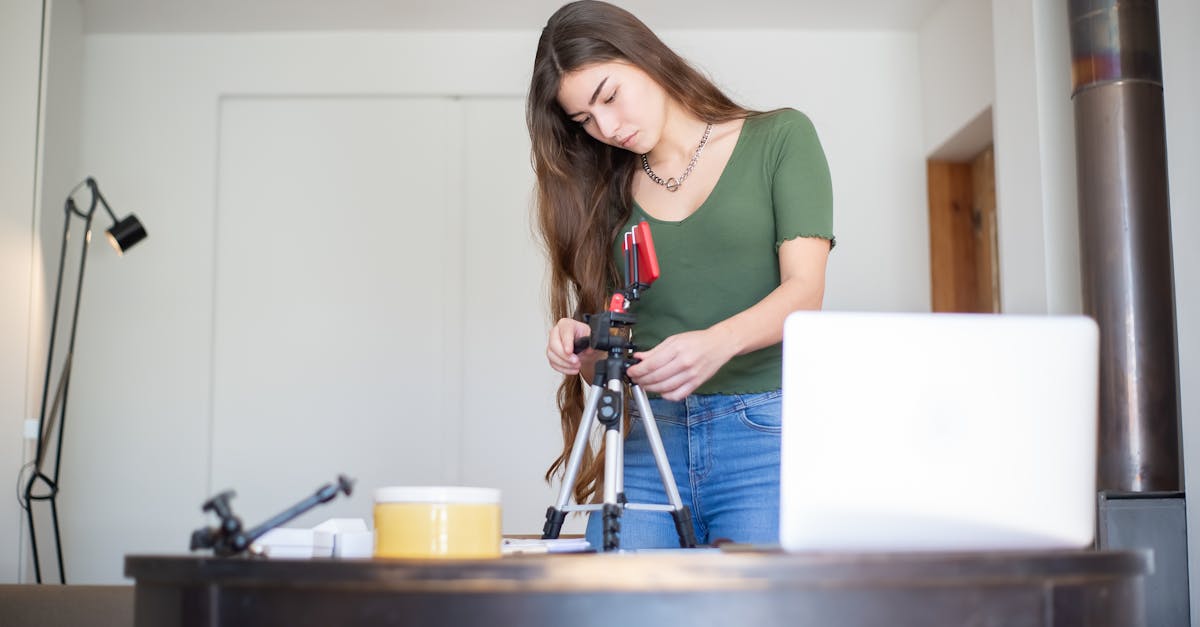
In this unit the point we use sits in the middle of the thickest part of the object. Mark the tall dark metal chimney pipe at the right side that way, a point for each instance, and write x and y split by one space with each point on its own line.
1126 240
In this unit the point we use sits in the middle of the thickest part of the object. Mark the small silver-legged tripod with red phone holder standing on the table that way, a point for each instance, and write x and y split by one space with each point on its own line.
611 331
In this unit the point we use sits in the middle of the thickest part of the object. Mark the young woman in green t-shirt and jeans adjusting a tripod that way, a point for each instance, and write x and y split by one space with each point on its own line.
740 207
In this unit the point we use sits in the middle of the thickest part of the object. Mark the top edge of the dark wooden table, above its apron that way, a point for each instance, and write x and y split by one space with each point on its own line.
625 572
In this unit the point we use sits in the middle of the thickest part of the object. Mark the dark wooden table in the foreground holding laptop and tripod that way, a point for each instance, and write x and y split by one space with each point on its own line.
674 588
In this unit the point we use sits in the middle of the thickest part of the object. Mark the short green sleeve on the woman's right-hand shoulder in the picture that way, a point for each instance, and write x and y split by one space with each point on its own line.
802 190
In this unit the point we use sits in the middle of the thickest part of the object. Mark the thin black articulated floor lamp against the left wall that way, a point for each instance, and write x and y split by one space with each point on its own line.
44 483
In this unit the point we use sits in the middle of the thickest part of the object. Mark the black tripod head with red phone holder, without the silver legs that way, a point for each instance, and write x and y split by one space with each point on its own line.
611 330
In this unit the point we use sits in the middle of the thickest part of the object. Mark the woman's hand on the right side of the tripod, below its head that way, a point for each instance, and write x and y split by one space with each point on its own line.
682 363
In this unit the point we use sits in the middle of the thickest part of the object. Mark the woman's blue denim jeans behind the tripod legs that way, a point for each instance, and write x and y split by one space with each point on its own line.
724 453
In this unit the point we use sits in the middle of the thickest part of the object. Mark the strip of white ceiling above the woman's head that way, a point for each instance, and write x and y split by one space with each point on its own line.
242 16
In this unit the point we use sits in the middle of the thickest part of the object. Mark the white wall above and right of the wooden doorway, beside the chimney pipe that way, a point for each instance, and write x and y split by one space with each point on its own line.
1019 99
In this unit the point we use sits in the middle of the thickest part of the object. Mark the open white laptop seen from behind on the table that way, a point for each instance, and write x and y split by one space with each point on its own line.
939 432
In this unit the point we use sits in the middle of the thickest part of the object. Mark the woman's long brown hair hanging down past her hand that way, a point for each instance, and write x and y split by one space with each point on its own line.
584 186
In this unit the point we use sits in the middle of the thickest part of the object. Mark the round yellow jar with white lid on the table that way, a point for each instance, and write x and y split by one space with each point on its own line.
437 522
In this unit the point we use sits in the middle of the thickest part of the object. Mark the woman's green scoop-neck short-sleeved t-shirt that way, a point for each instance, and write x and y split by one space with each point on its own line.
724 258
